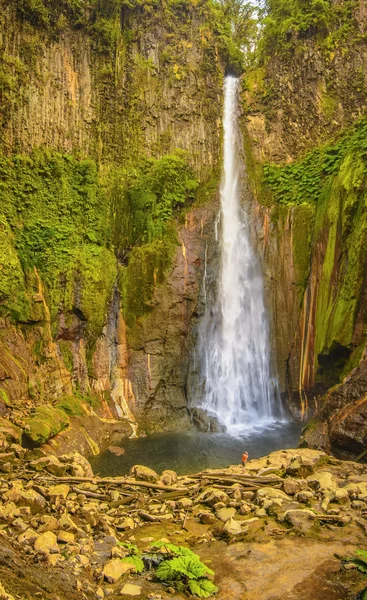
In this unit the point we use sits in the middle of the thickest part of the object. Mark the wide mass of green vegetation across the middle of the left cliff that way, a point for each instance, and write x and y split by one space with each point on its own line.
68 220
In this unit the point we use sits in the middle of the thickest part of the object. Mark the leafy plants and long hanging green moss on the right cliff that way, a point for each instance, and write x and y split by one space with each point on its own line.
332 182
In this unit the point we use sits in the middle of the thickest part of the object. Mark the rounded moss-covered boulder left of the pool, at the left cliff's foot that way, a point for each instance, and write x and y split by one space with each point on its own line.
45 423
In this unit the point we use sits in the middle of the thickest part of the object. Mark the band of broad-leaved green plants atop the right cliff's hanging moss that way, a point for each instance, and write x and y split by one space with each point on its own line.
306 181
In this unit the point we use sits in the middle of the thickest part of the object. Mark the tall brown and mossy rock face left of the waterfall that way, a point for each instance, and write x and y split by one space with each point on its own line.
106 101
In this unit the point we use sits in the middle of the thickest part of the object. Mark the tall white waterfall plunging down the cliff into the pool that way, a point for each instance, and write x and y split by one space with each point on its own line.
234 333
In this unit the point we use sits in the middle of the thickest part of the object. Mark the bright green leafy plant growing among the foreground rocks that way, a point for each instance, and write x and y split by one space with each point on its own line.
174 565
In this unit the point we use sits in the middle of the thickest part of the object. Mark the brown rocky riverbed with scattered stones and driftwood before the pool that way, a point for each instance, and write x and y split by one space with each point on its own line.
278 530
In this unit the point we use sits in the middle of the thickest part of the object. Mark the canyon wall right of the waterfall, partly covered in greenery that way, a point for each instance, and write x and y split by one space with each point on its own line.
304 131
